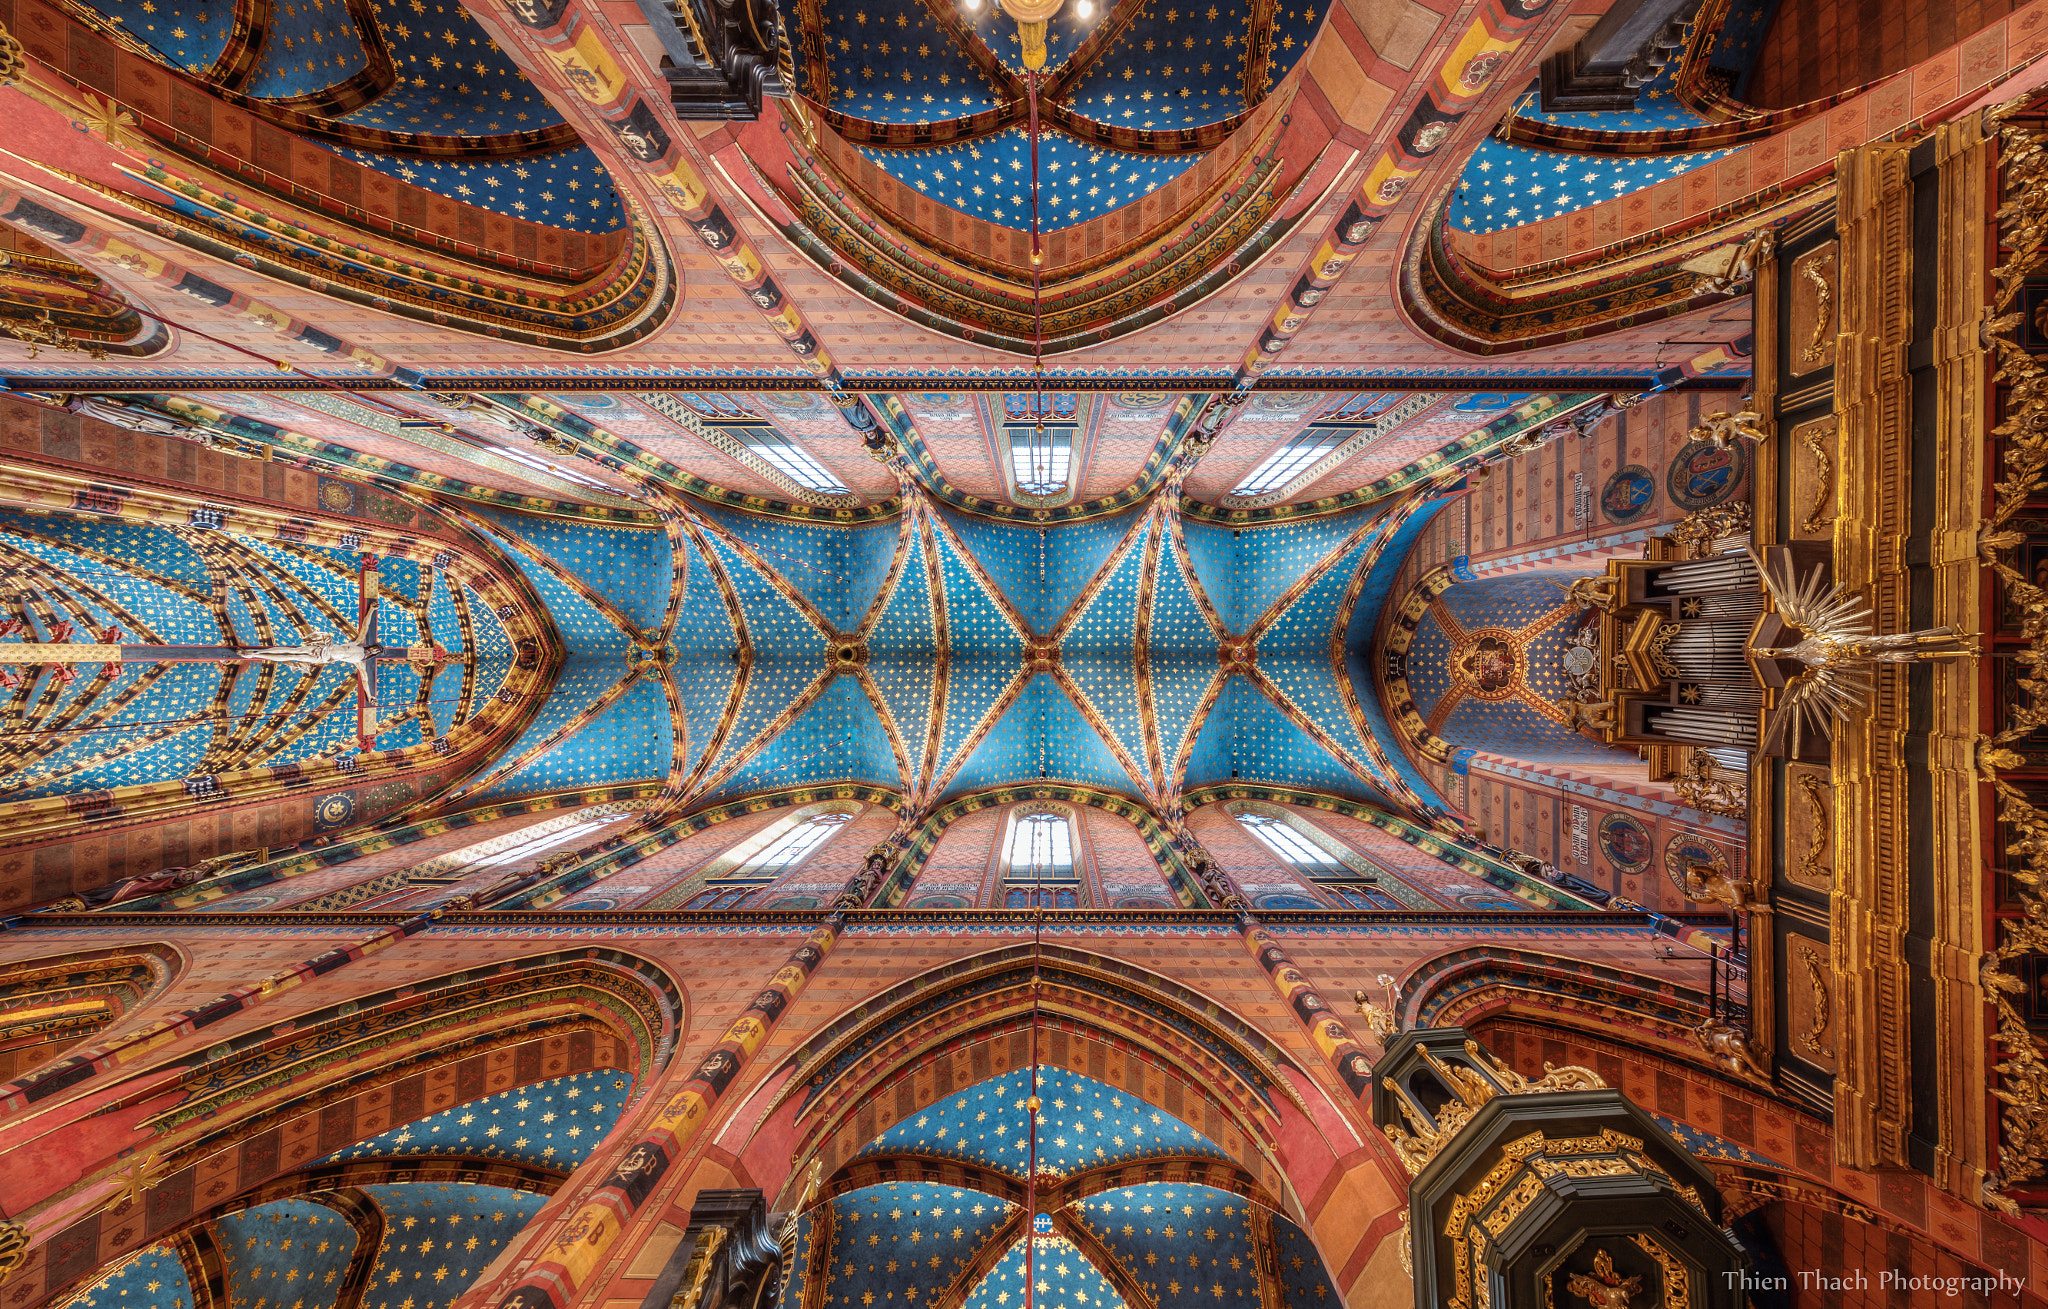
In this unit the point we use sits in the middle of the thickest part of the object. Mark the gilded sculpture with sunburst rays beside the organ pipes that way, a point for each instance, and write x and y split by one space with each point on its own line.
1838 648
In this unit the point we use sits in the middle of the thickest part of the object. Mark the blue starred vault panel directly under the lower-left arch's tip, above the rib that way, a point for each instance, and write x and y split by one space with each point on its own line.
552 1124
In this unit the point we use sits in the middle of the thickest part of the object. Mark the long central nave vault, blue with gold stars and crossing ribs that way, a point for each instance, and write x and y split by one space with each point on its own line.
939 654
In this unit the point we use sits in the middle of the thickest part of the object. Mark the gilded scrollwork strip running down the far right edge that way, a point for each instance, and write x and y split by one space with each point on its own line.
2024 437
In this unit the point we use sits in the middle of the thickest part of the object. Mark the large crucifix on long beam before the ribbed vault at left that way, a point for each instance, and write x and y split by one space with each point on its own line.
355 650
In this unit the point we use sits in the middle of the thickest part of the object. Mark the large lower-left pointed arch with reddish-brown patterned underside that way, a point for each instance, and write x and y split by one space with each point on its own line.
220 1124
